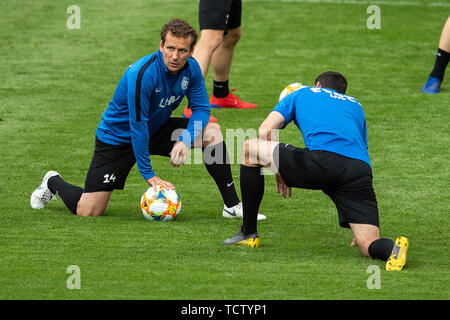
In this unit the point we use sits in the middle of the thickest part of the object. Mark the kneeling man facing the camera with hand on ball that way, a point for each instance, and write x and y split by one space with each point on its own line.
137 124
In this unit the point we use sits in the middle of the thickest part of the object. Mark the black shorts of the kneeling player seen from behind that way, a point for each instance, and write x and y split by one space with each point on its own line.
347 181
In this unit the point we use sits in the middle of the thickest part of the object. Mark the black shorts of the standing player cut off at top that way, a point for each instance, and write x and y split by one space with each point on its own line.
219 14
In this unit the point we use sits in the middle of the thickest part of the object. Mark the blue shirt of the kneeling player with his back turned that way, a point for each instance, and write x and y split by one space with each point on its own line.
328 121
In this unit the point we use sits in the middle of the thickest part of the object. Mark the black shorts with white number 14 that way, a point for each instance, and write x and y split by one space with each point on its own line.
111 164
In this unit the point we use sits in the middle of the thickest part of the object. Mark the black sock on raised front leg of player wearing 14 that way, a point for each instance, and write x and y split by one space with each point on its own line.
217 163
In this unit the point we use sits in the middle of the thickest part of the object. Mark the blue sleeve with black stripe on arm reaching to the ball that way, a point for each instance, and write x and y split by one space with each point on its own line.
138 96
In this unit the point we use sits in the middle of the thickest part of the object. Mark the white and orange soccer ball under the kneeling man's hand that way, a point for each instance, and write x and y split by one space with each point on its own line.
160 205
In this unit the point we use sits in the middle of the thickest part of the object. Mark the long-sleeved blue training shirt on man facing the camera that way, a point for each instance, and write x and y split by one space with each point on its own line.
145 98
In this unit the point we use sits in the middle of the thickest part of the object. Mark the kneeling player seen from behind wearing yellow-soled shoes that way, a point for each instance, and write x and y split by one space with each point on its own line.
335 160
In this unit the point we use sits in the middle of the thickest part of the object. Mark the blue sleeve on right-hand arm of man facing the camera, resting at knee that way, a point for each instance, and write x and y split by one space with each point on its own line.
199 104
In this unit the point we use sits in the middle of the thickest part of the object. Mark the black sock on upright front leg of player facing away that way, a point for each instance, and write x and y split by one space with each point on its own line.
252 191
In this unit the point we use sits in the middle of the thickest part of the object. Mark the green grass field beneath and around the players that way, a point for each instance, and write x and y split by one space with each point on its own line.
56 83
